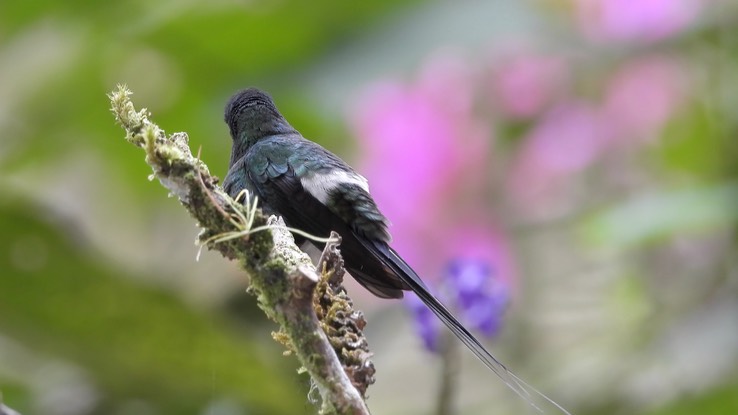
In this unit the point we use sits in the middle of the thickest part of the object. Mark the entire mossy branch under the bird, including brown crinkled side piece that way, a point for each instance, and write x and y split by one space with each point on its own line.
282 276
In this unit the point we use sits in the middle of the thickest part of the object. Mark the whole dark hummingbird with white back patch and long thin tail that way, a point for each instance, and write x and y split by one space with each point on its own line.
315 191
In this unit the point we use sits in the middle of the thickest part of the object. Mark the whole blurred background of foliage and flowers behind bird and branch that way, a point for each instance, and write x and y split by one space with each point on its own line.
562 172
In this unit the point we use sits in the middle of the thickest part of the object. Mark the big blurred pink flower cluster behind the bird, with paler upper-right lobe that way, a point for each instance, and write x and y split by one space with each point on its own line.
420 144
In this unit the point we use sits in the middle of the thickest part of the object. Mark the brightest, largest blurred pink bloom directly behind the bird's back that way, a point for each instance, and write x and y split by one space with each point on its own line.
408 150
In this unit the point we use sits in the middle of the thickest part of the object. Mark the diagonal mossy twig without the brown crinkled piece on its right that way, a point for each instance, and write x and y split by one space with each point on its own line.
282 276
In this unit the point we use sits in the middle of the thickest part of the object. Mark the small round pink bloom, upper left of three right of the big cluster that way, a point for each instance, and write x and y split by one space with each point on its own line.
524 85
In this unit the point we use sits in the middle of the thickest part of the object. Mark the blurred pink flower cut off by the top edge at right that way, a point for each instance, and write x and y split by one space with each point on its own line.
635 20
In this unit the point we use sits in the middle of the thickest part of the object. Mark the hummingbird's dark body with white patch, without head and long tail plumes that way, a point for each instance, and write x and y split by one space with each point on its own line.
315 191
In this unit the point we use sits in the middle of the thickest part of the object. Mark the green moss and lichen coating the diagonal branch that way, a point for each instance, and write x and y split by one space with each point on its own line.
267 265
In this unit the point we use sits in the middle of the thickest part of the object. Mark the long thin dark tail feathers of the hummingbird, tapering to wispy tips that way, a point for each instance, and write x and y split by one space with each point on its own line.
536 399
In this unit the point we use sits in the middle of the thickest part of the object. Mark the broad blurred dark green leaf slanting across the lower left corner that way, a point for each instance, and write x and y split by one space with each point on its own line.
133 340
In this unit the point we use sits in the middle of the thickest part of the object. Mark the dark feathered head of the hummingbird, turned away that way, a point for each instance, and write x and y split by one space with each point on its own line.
252 115
